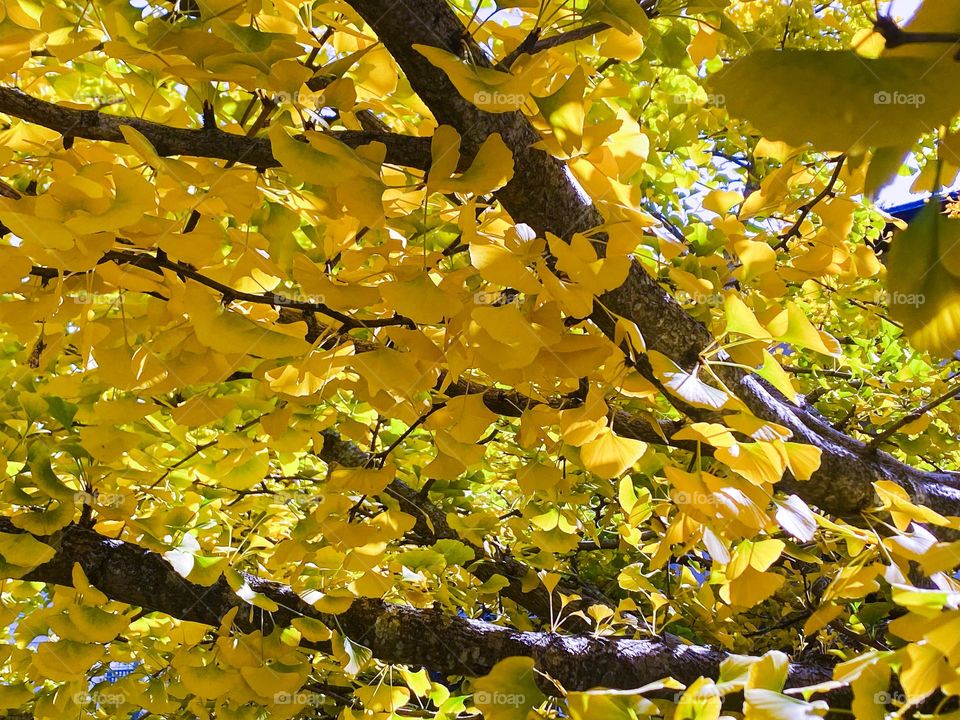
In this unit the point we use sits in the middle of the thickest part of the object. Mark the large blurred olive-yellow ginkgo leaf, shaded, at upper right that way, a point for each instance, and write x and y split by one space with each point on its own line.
861 102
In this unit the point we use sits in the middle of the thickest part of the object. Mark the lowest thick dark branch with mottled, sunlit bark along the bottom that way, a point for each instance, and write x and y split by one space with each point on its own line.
394 633
